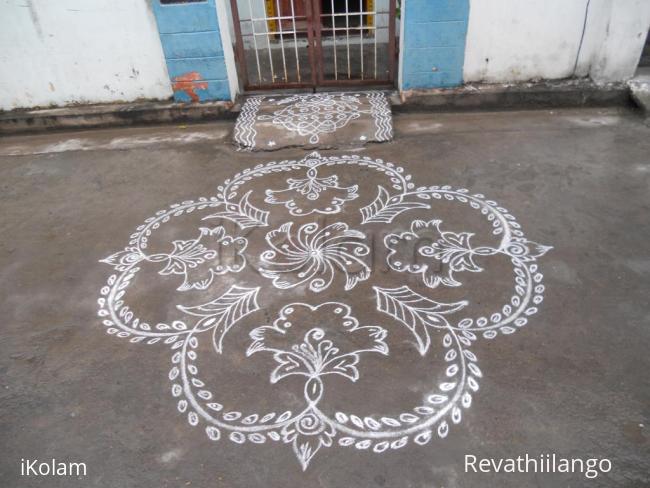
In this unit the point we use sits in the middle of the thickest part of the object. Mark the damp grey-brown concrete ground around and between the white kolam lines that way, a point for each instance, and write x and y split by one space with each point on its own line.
573 381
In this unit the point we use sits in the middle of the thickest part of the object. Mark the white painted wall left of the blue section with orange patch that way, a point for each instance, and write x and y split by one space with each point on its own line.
59 52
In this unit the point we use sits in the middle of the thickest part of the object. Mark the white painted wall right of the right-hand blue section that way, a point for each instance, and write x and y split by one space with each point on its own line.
522 40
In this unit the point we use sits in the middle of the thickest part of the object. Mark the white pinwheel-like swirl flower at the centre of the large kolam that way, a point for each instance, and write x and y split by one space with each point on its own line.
312 254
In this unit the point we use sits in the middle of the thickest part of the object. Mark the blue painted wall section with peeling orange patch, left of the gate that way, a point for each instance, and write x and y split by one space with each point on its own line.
191 41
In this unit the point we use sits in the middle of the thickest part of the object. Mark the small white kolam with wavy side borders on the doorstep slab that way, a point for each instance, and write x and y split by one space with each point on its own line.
314 115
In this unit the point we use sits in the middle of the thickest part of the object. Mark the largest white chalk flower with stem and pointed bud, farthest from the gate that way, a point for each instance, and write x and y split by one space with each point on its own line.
301 349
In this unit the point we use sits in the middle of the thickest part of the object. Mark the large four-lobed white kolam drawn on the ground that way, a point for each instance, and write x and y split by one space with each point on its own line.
291 309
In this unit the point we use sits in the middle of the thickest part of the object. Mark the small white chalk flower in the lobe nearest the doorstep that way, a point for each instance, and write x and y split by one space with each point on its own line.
307 190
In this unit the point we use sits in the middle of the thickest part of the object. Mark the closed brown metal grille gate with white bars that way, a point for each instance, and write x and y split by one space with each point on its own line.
310 43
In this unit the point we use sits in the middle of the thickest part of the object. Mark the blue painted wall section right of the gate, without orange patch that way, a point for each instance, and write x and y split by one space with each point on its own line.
434 43
